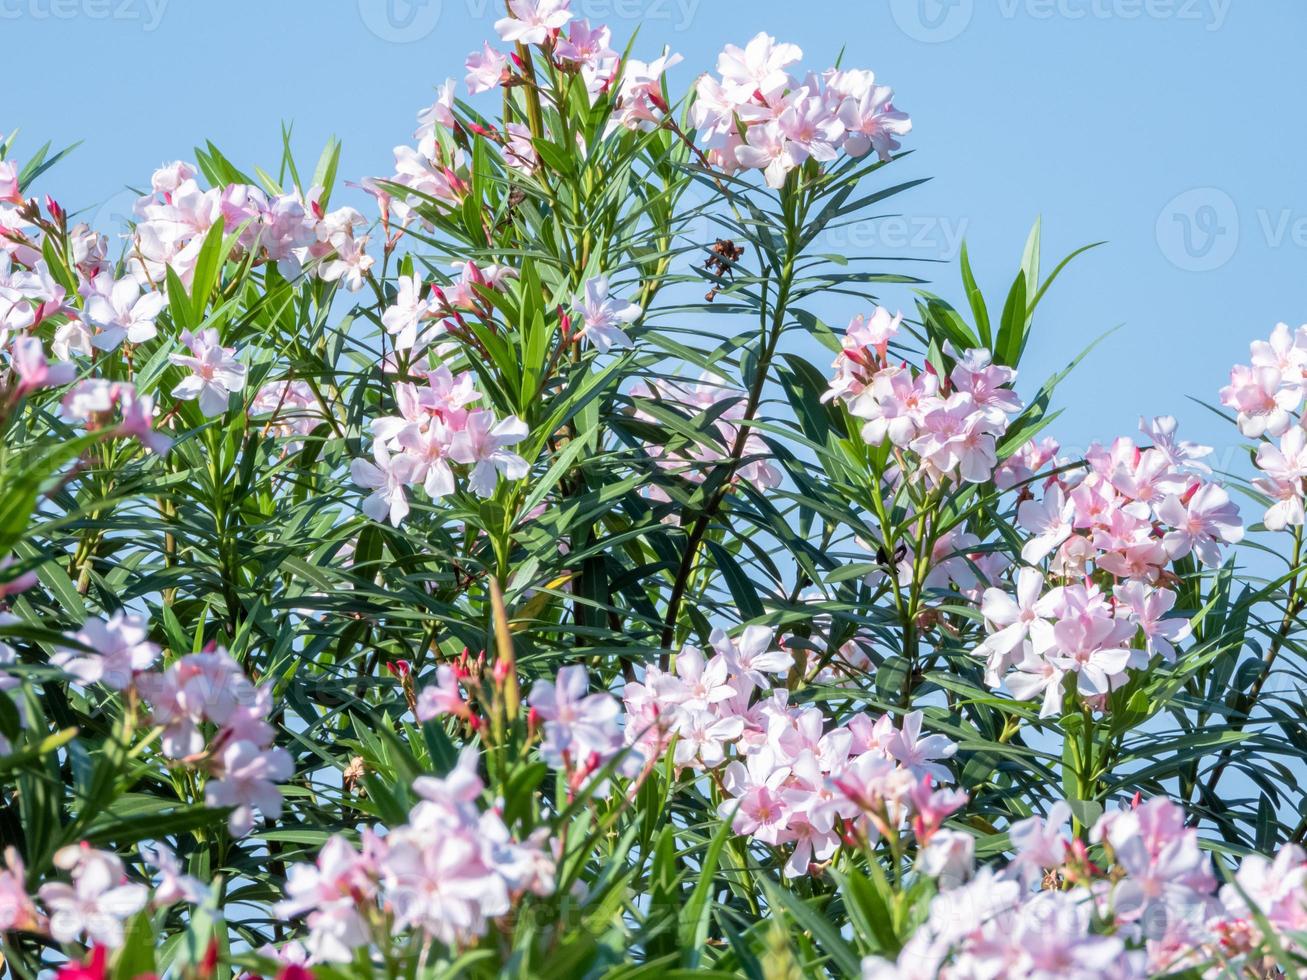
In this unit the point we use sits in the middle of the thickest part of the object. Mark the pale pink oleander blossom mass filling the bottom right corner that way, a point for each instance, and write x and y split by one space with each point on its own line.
1135 900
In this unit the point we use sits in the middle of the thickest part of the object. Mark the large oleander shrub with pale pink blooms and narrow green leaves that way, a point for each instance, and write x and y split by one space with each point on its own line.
491 578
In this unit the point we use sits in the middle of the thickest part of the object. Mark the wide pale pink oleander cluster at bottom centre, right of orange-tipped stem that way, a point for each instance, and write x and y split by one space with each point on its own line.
787 774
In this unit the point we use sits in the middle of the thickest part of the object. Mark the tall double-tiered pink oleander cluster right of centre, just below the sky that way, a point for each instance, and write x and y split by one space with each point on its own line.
1092 602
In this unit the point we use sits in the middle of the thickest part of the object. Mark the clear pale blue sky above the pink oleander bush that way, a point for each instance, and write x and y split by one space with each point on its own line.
1170 129
